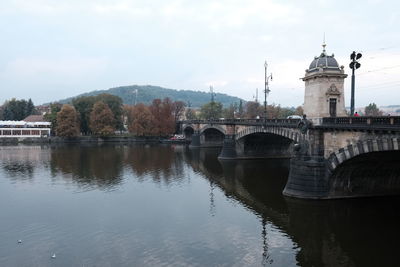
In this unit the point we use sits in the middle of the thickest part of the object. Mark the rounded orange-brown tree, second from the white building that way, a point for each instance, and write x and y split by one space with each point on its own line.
102 121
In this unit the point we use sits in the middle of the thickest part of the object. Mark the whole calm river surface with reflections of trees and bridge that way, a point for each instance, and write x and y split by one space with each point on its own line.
171 206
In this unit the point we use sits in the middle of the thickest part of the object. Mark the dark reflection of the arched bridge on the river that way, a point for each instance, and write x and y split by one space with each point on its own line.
325 232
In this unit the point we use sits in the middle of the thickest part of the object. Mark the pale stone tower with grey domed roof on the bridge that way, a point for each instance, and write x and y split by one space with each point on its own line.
324 93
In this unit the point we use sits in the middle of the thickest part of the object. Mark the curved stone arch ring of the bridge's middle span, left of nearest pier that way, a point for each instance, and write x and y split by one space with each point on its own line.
292 134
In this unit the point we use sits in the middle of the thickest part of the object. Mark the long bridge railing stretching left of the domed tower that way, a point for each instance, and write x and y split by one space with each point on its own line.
255 122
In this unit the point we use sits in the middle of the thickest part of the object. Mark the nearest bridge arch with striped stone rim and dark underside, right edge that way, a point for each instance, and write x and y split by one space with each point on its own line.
367 168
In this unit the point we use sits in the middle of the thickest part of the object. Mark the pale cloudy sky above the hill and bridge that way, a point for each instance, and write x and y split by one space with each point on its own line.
53 49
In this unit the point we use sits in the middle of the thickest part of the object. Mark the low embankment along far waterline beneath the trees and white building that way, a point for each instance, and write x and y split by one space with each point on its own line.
87 139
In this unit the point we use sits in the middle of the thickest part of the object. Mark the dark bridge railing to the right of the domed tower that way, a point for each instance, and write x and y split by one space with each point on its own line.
390 121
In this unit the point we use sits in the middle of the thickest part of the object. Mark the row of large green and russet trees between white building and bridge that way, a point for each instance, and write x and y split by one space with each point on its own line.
105 114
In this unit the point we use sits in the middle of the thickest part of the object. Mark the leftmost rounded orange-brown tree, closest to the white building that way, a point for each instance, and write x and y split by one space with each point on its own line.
67 122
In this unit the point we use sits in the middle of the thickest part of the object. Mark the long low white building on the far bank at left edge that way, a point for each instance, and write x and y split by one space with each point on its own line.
21 129
